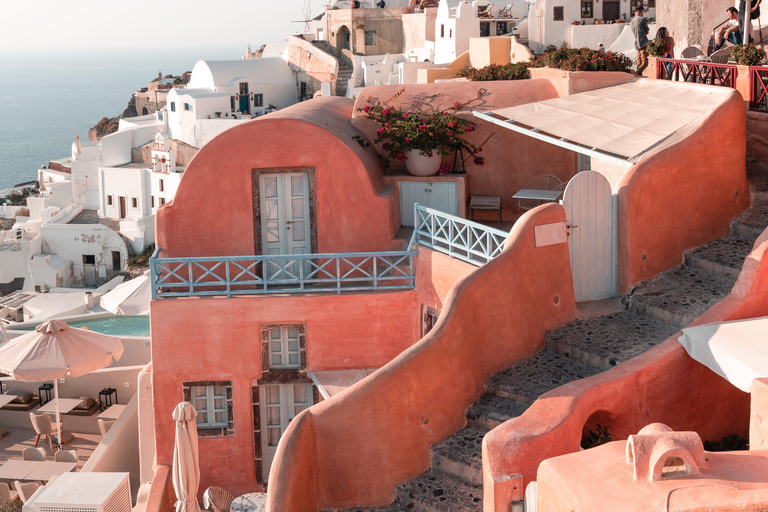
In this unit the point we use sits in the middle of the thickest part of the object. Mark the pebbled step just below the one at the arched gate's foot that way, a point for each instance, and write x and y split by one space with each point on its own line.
527 380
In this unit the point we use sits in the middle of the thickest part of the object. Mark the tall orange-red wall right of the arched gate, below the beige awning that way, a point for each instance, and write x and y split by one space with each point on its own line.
683 196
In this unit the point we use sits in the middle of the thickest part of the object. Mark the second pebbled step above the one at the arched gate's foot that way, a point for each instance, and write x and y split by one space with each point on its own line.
723 257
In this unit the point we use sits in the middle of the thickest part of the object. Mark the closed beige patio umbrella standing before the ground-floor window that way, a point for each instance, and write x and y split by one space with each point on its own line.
186 468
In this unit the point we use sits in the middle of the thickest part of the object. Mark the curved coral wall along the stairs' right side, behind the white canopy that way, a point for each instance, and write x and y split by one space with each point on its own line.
662 385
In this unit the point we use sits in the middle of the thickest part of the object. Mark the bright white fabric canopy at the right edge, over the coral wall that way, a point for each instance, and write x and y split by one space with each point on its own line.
737 351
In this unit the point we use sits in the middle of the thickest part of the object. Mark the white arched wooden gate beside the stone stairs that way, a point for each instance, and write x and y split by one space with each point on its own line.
590 213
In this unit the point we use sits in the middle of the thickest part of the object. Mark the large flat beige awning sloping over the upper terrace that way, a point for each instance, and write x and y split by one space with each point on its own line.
620 124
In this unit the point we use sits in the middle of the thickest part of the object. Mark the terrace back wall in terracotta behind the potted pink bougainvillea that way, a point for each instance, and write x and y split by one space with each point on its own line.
511 161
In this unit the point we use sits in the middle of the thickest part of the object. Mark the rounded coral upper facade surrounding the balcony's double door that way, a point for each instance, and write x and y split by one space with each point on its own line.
212 212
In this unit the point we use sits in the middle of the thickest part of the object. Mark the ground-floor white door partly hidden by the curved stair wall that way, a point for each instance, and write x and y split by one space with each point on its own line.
280 403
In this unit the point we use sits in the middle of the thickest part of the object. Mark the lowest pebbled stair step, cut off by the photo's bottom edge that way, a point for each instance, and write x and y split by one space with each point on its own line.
438 492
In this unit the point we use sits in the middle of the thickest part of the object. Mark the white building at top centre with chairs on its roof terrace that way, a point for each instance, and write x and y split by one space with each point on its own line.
459 20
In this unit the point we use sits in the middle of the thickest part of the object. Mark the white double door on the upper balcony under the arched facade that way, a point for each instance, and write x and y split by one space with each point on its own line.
285 227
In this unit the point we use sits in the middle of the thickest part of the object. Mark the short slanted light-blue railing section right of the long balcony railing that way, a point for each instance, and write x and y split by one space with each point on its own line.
460 238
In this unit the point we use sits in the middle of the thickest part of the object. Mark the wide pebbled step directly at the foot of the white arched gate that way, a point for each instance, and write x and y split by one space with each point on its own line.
603 342
